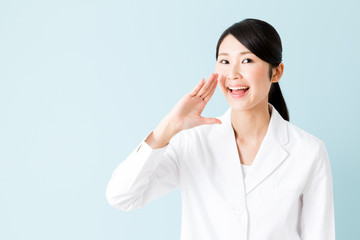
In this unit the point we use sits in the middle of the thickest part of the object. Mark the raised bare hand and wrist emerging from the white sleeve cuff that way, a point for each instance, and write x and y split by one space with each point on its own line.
186 113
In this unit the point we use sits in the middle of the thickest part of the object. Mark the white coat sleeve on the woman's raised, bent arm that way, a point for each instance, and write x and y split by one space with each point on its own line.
144 175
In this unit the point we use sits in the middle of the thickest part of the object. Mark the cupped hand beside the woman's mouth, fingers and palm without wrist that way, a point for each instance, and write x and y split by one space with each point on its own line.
187 112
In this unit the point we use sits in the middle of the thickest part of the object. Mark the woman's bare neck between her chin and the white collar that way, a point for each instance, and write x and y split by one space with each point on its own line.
250 126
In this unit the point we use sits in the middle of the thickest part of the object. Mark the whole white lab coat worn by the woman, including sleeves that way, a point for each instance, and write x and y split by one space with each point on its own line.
287 194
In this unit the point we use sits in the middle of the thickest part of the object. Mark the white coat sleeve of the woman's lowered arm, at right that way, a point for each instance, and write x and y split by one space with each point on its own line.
318 220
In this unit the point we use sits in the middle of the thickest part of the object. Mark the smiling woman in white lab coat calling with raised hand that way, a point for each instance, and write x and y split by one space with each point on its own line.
249 174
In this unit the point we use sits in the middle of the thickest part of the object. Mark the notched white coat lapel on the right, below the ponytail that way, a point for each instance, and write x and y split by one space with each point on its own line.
270 154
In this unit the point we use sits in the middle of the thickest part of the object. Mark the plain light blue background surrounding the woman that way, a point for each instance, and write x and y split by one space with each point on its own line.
82 82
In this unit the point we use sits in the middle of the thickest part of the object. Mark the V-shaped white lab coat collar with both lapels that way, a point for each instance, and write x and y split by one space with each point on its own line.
269 156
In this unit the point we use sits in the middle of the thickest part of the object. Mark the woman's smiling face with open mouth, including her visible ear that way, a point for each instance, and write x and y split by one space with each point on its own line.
243 77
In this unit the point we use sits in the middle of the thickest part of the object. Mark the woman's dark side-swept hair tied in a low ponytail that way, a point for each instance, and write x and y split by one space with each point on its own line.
262 40
